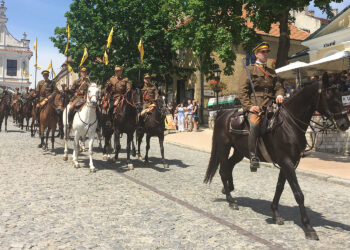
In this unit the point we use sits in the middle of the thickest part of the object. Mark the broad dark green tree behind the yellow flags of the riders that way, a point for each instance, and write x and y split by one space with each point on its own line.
90 23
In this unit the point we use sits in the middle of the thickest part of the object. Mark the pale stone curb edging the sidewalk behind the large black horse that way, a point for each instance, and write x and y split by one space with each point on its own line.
319 176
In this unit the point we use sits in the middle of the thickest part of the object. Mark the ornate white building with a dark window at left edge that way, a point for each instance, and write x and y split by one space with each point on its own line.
14 56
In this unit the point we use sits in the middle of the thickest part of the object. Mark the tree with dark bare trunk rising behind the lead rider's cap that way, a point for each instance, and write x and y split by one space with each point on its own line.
263 13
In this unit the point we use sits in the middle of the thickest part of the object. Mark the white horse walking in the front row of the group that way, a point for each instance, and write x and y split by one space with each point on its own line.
84 124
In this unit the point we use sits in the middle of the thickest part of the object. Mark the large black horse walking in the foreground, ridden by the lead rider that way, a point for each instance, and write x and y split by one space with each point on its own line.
285 142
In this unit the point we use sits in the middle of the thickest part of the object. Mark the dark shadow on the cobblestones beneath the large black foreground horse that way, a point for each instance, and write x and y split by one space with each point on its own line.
288 213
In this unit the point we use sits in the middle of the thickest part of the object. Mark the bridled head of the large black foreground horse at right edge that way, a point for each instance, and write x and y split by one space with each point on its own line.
330 102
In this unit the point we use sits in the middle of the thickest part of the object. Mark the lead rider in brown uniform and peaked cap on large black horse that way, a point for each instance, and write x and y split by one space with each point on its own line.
267 86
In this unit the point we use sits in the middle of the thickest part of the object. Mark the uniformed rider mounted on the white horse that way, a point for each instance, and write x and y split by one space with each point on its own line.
79 89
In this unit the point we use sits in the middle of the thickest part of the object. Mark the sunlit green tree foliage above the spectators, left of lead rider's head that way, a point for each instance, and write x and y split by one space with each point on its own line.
207 26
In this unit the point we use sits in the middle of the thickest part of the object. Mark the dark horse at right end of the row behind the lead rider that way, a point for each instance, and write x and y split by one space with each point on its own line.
153 125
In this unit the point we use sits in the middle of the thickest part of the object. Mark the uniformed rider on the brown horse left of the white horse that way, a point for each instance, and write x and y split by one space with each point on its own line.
45 88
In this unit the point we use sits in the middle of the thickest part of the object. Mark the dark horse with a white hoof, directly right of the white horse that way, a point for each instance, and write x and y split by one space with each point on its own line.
125 121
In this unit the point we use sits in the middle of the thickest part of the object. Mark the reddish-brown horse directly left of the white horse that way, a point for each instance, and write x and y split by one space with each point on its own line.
49 116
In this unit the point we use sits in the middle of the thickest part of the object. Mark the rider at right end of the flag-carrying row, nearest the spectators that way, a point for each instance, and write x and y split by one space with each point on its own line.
149 94
